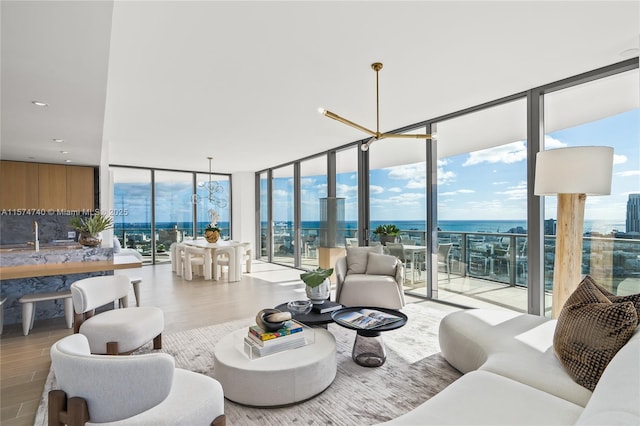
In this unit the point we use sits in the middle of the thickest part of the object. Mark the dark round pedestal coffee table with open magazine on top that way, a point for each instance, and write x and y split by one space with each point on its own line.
368 348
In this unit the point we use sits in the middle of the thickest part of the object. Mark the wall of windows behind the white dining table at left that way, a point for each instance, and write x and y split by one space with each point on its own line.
160 208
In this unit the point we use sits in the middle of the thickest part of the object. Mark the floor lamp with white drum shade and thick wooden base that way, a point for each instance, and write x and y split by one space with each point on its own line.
571 174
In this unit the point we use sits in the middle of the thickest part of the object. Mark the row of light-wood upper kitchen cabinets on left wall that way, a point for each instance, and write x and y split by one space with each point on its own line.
27 185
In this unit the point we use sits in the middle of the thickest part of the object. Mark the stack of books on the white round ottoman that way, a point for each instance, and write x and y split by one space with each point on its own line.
259 342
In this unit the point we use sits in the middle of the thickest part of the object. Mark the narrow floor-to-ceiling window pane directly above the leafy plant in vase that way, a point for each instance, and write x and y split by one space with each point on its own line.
313 187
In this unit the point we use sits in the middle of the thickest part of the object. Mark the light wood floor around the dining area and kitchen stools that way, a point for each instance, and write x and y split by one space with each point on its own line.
24 360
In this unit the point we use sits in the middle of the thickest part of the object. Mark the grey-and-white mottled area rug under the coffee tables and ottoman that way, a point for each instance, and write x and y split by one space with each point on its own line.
413 373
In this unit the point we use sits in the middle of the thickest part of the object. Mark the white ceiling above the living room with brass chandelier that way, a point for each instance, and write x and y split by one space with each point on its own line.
167 84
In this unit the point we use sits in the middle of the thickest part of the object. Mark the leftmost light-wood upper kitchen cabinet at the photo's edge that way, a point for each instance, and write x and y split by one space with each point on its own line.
18 185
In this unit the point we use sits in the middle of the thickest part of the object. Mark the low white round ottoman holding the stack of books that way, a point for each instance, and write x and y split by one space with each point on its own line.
283 378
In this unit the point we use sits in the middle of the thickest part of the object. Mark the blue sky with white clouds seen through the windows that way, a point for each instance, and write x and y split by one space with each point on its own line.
483 185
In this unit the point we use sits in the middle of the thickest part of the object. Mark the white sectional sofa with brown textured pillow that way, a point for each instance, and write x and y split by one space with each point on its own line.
513 377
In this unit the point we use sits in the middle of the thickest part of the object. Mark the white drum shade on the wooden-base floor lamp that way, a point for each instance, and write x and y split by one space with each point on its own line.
575 170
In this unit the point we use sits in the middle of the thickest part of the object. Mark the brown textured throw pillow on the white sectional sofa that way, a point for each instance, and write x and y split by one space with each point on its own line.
590 331
